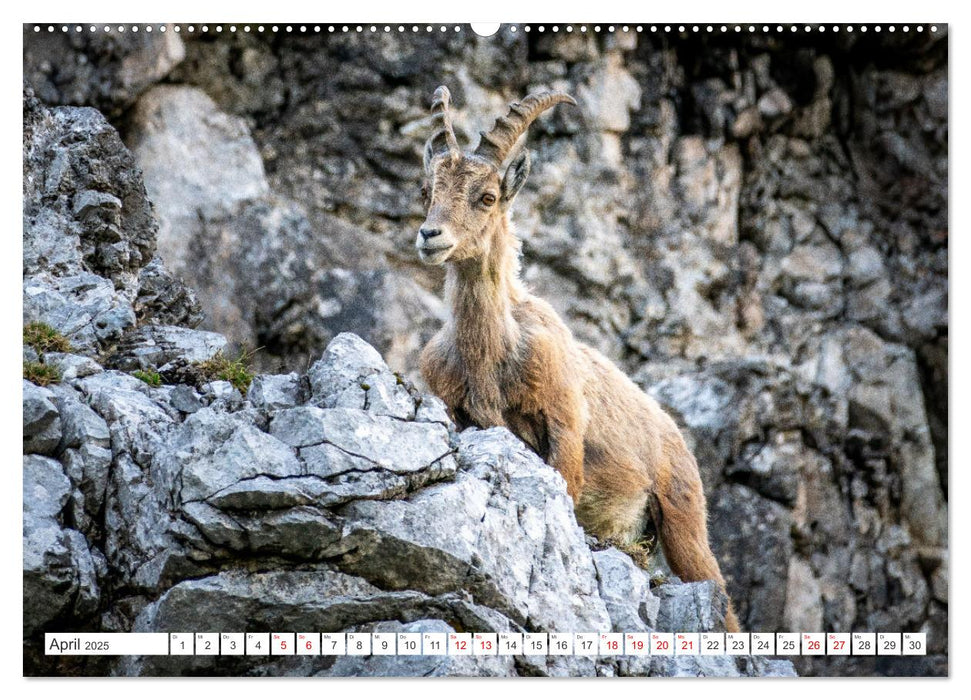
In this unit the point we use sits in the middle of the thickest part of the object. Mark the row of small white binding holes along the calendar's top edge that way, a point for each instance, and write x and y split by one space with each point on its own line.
428 28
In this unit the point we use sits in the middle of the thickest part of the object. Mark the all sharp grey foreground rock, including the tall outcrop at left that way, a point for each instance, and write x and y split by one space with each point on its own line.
340 499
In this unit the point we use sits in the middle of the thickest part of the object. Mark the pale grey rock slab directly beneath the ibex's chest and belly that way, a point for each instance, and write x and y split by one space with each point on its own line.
439 552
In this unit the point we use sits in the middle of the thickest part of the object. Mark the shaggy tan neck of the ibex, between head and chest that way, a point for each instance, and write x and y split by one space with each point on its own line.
482 293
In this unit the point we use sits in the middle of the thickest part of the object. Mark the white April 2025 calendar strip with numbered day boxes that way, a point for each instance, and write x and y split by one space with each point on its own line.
590 644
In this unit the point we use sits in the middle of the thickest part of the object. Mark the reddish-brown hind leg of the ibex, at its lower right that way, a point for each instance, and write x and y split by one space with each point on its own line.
682 524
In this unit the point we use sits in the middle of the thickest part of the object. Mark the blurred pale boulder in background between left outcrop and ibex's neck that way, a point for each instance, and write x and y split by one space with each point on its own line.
233 240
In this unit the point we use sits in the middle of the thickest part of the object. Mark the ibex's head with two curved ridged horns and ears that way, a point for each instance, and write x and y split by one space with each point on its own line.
465 194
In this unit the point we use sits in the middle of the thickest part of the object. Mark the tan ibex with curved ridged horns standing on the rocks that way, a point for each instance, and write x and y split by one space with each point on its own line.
504 357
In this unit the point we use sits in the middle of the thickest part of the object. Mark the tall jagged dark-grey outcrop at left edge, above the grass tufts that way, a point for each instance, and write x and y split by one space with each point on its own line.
89 227
